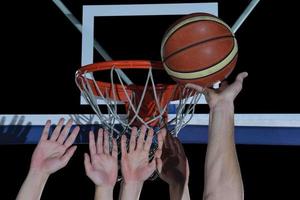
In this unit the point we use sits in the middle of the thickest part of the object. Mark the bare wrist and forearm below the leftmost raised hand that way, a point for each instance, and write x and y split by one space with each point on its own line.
33 186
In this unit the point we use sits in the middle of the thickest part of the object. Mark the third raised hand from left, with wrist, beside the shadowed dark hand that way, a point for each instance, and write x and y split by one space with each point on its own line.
135 165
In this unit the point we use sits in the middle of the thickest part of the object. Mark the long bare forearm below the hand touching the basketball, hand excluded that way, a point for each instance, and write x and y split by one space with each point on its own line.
222 172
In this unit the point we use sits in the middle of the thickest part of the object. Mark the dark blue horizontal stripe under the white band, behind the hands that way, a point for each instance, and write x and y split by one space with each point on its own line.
189 134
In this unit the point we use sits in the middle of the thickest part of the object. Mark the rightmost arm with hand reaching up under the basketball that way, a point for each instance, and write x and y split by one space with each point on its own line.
222 172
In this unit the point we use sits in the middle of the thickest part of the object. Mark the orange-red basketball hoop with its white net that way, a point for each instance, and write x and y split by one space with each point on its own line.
145 104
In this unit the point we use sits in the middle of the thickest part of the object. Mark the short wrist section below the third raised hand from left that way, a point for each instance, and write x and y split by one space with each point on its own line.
130 191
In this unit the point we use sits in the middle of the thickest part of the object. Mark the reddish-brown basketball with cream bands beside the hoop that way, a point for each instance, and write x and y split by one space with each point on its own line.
199 48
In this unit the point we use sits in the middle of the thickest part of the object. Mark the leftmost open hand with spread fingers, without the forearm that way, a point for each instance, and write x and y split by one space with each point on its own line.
54 153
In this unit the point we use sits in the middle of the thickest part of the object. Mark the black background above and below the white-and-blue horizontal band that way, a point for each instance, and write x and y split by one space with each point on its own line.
40 48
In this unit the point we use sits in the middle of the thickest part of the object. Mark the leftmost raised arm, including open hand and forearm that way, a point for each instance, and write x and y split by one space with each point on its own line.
49 156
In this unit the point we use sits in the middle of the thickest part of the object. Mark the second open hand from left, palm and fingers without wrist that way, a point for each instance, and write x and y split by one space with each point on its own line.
102 165
